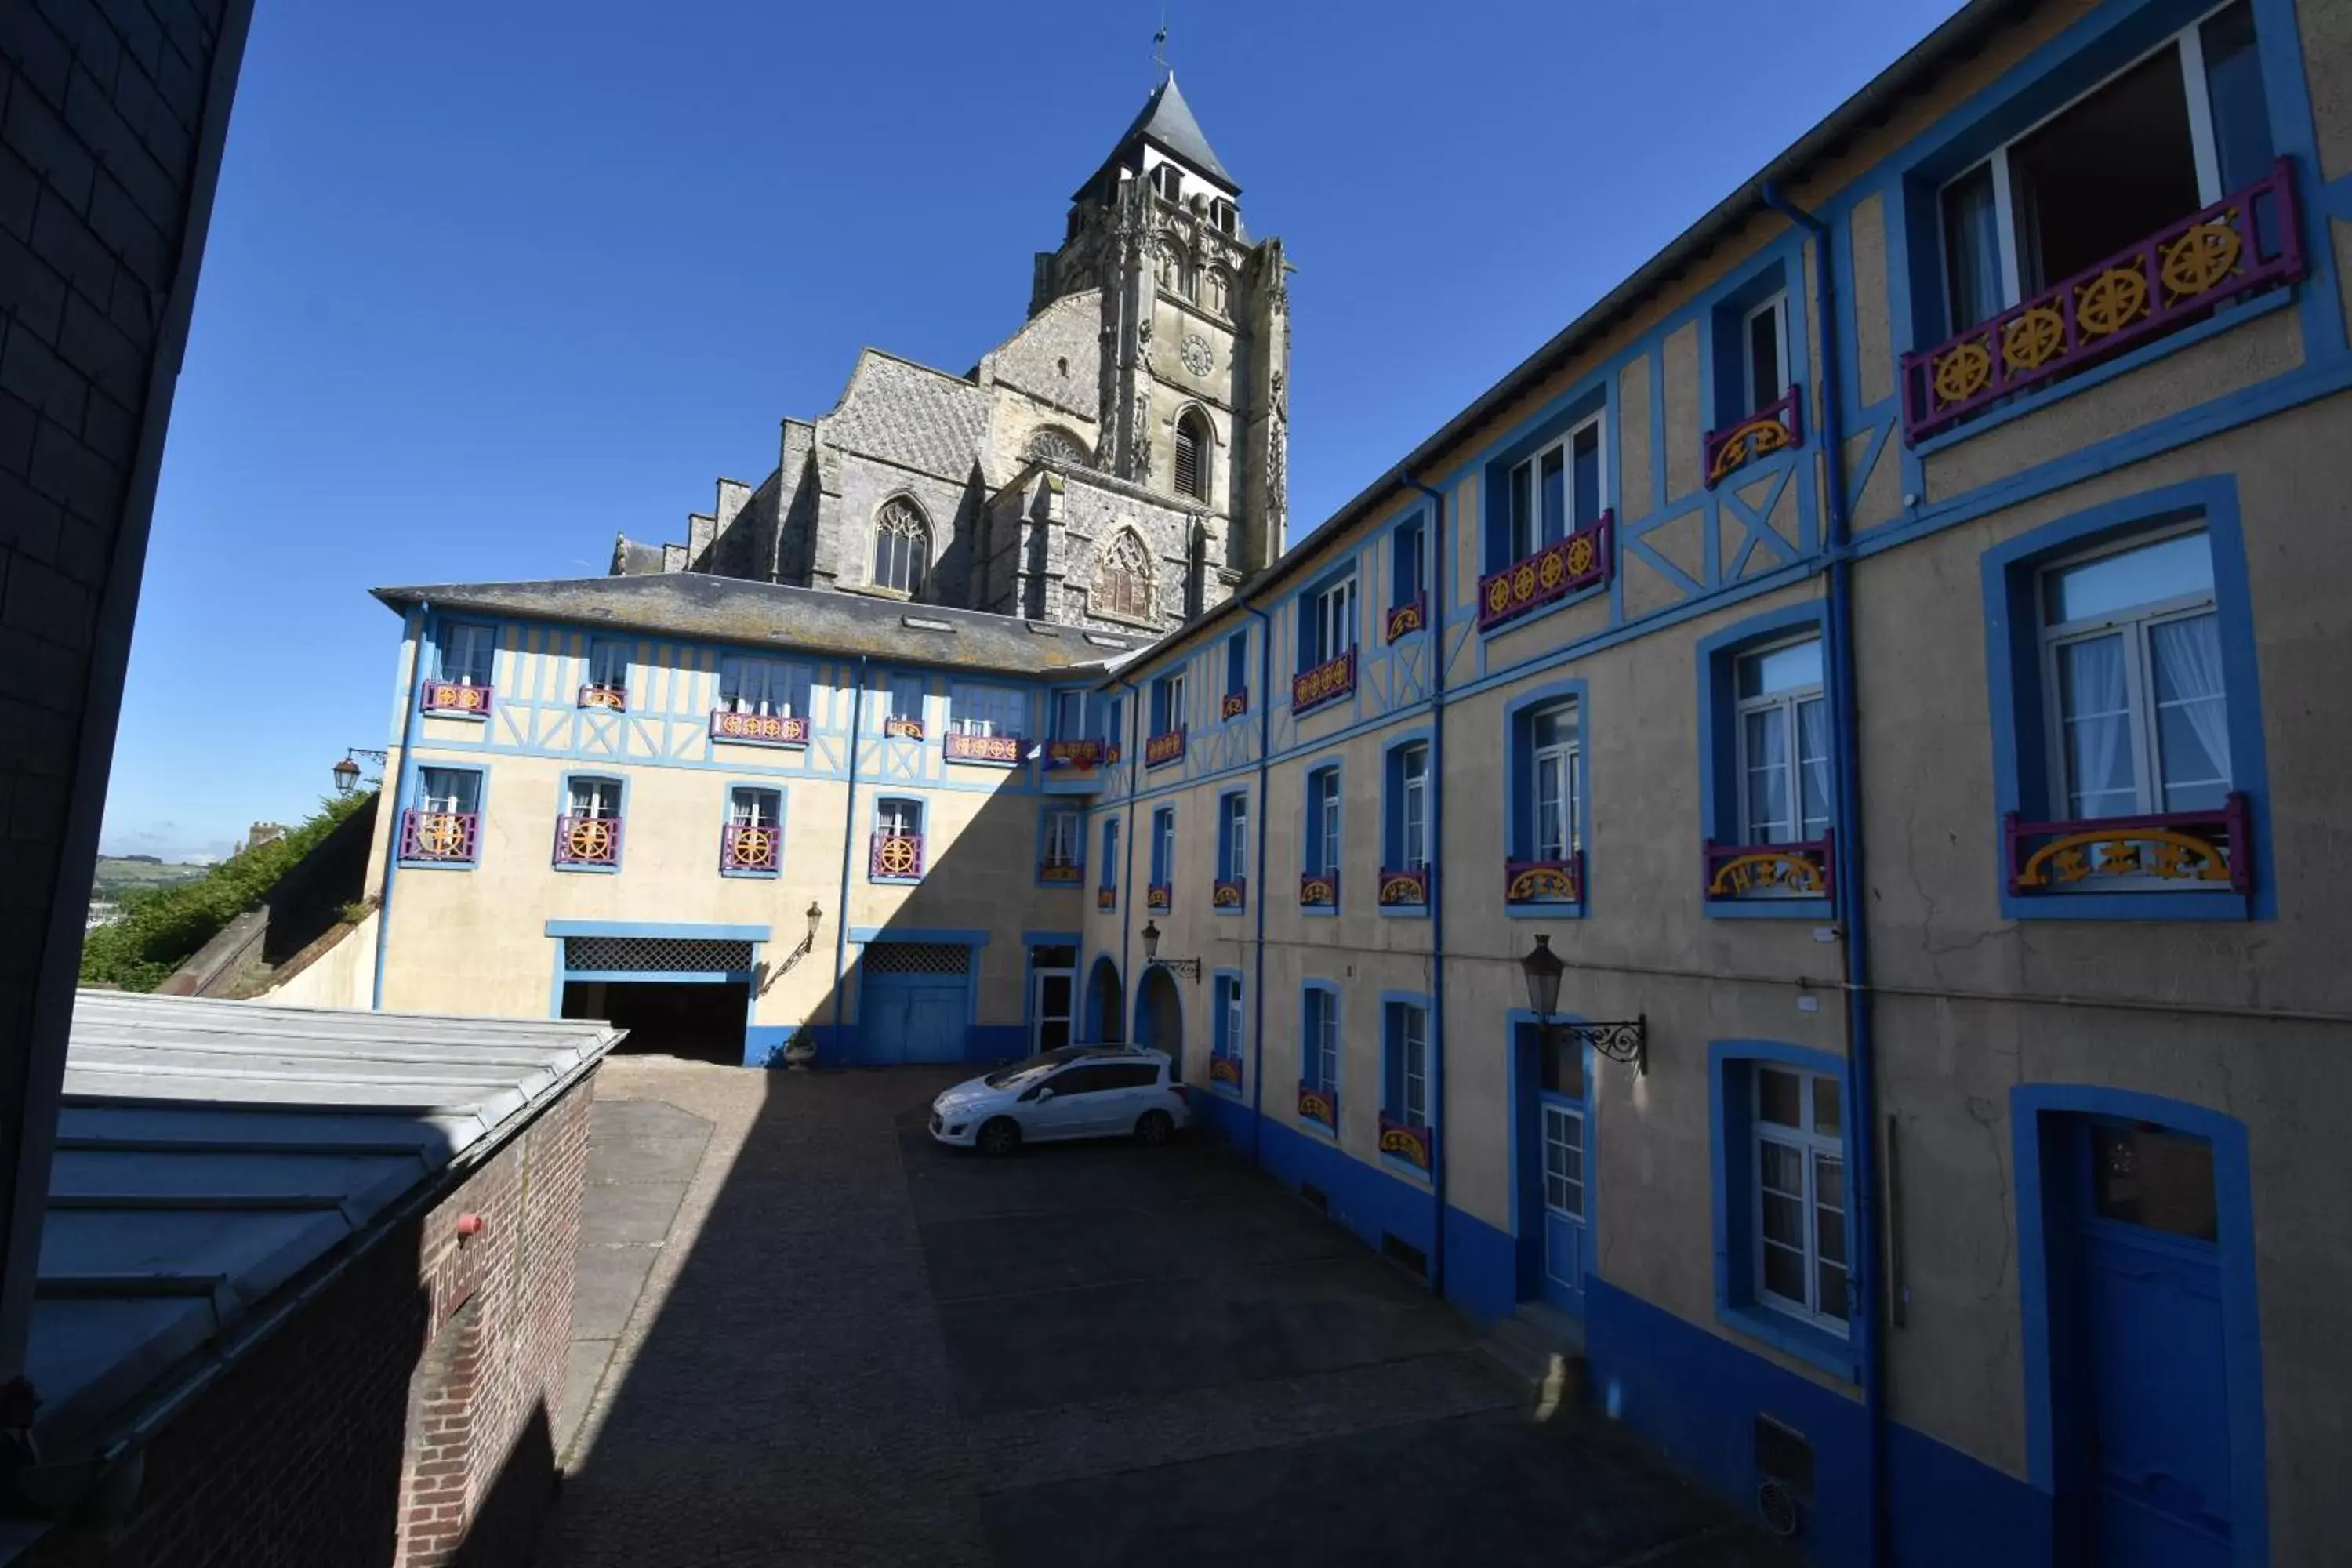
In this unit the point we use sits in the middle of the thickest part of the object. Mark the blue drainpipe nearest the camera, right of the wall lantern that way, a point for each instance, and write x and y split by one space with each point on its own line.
1862 1078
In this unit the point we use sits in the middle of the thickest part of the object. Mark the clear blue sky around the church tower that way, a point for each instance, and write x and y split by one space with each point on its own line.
493 283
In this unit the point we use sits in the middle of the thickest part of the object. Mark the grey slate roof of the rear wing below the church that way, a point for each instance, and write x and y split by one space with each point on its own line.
711 608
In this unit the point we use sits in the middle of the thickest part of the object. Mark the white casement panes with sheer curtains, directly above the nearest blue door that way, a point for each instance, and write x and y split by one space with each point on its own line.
2134 681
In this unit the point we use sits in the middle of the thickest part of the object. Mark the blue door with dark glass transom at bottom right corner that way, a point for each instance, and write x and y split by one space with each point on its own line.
2149 1346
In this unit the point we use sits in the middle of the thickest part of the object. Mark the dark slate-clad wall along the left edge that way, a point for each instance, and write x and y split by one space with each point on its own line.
112 126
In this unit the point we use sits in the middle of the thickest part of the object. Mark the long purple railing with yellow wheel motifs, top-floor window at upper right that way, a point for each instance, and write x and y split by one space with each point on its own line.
2240 246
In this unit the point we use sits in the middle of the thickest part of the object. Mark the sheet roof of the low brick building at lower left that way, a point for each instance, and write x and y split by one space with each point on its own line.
213 1155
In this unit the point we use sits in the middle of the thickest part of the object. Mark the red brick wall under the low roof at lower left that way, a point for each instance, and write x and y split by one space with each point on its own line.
326 1445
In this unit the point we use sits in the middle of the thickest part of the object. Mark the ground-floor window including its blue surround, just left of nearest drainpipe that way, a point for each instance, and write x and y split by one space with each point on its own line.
1784 1219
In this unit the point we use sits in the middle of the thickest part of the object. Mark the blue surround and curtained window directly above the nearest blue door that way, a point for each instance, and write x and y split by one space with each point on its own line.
2125 681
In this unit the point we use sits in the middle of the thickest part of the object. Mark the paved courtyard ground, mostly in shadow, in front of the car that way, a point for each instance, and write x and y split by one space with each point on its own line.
806 1334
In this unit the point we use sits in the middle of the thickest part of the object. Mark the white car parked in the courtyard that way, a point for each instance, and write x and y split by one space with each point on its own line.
1076 1092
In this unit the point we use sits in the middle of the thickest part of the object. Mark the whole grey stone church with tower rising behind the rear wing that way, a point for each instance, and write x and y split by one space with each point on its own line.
1118 462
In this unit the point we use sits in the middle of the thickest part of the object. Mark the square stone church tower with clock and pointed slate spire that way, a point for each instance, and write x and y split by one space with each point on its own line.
1196 337
